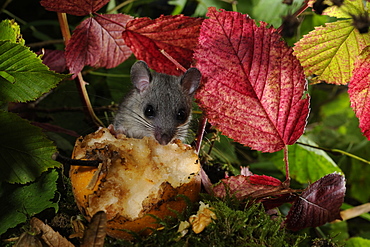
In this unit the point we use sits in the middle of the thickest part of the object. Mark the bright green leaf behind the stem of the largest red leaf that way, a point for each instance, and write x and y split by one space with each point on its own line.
306 164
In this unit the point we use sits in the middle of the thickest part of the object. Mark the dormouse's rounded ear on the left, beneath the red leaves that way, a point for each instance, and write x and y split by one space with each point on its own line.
140 75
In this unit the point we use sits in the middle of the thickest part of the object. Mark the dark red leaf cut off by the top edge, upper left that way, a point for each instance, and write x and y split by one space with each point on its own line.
74 7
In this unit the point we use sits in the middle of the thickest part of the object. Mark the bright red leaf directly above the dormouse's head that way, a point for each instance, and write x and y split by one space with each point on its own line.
176 35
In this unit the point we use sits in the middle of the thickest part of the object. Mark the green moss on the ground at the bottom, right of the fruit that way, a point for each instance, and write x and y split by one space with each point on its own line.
234 226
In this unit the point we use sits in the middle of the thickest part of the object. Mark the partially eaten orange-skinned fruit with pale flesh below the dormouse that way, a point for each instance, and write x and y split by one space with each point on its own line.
136 177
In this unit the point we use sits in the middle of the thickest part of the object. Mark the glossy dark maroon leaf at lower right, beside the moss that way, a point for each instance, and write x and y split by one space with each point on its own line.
318 204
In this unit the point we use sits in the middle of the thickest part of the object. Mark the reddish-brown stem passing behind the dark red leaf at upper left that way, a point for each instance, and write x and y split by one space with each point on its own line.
80 83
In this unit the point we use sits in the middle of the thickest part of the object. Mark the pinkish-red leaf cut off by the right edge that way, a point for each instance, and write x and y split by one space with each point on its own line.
359 91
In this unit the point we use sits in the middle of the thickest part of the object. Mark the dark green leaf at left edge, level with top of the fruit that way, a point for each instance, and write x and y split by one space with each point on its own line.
25 152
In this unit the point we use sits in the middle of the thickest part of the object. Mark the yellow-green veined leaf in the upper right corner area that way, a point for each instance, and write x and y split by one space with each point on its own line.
330 51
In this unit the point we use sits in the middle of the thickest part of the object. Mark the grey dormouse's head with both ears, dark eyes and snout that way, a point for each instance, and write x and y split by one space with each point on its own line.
166 100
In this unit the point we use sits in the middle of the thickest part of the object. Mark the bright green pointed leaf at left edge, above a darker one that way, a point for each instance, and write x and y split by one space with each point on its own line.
31 77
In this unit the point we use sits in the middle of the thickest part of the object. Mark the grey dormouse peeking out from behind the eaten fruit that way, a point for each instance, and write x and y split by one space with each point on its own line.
159 105
